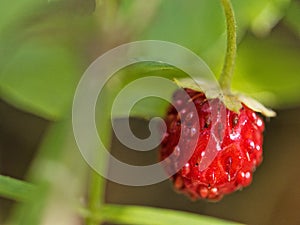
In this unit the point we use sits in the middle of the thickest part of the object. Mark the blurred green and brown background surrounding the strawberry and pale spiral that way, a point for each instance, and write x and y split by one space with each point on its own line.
45 46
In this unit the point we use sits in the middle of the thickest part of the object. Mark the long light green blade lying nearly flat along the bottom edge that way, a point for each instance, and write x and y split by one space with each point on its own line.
140 215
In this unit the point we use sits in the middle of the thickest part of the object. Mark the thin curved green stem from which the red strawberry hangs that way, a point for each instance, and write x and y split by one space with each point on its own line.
228 68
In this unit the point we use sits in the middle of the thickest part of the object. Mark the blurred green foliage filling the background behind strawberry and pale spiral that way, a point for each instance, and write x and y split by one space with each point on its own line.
45 46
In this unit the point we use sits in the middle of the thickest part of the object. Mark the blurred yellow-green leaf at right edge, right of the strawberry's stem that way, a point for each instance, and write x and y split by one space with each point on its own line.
269 69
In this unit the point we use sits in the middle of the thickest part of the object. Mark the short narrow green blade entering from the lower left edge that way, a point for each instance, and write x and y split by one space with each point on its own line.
16 189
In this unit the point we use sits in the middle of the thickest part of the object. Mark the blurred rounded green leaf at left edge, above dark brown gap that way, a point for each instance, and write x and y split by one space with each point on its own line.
40 79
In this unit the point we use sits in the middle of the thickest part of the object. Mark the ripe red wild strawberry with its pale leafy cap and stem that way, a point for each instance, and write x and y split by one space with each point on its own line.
213 141
